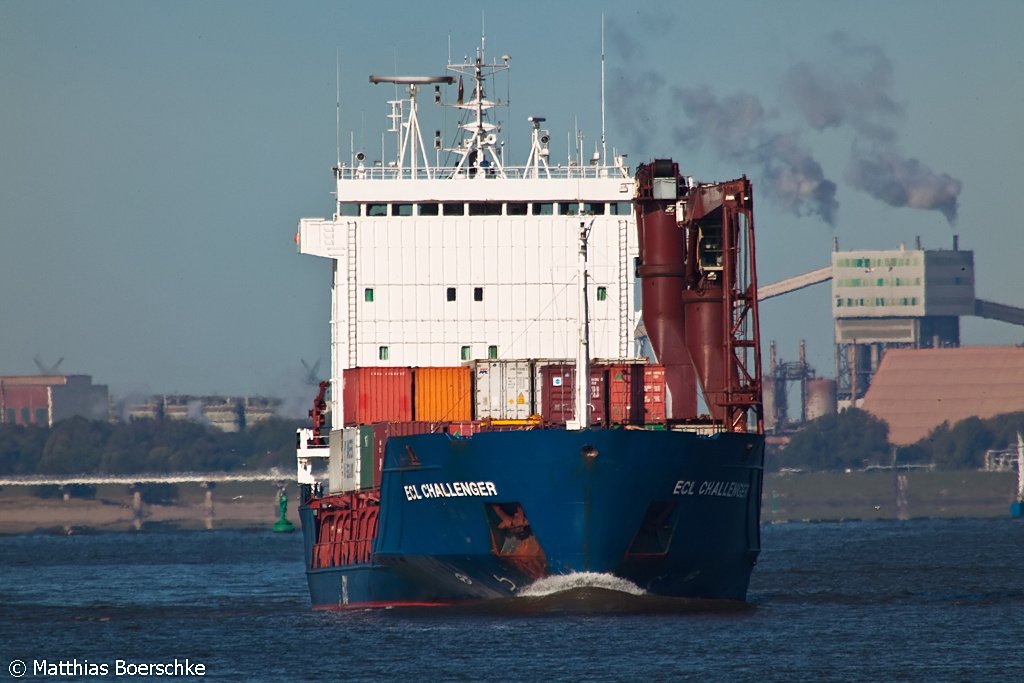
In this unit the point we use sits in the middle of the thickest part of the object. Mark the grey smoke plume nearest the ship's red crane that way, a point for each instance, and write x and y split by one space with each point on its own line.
740 131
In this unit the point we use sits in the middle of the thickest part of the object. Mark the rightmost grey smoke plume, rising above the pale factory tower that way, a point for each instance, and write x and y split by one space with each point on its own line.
852 90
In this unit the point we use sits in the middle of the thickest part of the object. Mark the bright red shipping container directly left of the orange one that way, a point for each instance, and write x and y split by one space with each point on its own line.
377 395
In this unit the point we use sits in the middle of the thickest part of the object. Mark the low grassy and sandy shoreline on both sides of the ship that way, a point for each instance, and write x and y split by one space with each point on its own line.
820 497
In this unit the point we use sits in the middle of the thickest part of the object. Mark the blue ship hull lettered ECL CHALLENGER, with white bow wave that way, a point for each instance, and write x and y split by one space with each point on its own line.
478 519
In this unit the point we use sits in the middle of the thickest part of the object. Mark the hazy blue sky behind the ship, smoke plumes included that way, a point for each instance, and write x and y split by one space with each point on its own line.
156 157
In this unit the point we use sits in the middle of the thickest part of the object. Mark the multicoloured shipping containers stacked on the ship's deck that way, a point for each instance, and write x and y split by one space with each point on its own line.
482 396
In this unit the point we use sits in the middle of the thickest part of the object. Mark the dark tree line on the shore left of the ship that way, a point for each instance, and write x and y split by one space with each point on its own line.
78 446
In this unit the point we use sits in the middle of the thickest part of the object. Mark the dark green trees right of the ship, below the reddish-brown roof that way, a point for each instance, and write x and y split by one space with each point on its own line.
856 439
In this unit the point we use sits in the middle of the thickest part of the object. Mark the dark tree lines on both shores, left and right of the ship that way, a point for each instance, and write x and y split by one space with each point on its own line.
851 440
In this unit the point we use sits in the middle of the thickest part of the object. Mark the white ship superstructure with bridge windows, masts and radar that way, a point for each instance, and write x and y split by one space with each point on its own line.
440 266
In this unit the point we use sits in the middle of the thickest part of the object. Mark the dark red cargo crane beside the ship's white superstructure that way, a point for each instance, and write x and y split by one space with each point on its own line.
699 283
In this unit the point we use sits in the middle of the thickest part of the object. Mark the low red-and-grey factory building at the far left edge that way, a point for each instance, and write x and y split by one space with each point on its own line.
45 400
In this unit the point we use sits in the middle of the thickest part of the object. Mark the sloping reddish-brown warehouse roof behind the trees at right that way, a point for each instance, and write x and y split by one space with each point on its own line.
916 391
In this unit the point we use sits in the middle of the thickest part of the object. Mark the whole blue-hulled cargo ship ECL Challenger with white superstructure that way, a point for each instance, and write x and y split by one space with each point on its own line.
542 370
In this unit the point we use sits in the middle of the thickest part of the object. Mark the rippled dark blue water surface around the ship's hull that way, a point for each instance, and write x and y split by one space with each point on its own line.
922 601
